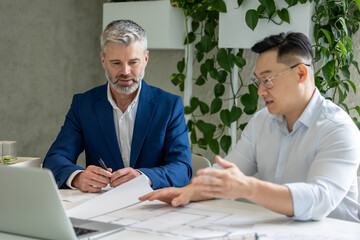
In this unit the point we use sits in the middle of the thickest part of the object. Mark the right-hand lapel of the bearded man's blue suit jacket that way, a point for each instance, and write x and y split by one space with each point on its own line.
144 115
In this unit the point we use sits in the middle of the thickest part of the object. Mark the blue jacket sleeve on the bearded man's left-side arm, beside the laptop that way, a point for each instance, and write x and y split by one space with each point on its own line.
62 155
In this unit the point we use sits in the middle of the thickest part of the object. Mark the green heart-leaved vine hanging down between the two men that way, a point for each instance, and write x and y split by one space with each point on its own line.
216 65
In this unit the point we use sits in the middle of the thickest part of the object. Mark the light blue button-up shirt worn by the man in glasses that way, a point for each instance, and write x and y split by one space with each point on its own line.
317 161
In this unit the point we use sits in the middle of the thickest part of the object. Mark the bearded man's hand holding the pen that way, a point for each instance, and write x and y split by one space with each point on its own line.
92 179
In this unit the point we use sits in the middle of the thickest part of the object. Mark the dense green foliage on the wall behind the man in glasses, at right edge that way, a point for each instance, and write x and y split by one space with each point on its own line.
335 24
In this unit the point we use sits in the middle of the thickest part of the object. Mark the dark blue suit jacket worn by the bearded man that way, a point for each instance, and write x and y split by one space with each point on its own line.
160 145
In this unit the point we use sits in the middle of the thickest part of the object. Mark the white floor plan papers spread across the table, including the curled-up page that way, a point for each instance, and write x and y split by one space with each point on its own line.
121 206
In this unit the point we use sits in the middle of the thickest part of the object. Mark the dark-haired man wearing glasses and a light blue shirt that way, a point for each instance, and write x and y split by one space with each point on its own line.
304 148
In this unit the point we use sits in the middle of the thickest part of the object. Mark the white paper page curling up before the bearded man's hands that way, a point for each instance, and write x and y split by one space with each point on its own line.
117 198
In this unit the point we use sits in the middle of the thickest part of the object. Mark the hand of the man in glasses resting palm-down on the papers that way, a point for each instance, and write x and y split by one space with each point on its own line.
173 196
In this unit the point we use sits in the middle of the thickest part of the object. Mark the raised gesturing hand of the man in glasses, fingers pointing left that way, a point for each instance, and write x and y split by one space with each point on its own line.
226 183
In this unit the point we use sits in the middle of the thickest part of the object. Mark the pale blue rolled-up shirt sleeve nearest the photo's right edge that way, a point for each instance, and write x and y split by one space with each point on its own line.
330 176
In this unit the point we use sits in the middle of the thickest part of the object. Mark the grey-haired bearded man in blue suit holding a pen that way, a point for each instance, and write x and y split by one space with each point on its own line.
133 127
